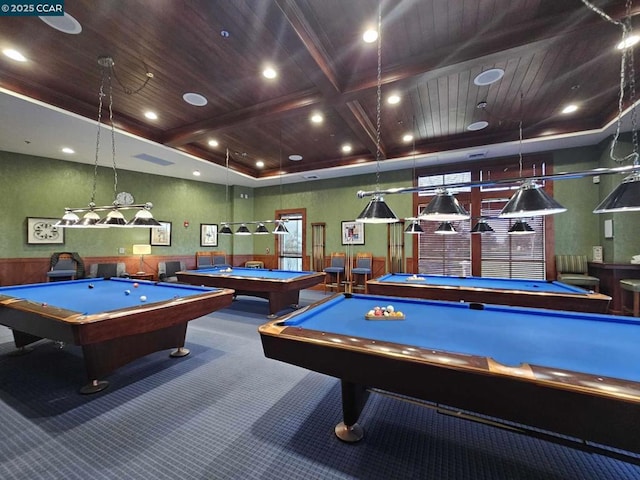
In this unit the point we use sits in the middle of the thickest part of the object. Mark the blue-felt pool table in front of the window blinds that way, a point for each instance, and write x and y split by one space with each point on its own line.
504 291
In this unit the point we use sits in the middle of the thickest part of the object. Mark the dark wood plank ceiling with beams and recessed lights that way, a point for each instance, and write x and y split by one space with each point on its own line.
553 52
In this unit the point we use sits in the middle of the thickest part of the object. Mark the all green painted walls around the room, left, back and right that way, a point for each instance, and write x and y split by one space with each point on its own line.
39 187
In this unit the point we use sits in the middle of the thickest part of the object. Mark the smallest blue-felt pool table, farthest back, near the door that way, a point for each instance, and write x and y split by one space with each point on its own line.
280 287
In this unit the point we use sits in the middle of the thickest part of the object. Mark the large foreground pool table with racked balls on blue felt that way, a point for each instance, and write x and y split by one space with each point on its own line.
568 373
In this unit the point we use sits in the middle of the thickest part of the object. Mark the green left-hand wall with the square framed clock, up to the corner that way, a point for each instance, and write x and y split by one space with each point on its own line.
38 187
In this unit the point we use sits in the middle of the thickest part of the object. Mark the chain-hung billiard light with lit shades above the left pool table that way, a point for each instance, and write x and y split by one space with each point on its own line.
114 217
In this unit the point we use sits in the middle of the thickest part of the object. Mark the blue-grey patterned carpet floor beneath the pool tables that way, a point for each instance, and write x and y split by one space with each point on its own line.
226 412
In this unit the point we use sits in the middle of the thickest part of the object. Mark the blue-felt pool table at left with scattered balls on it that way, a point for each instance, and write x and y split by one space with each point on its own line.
113 327
